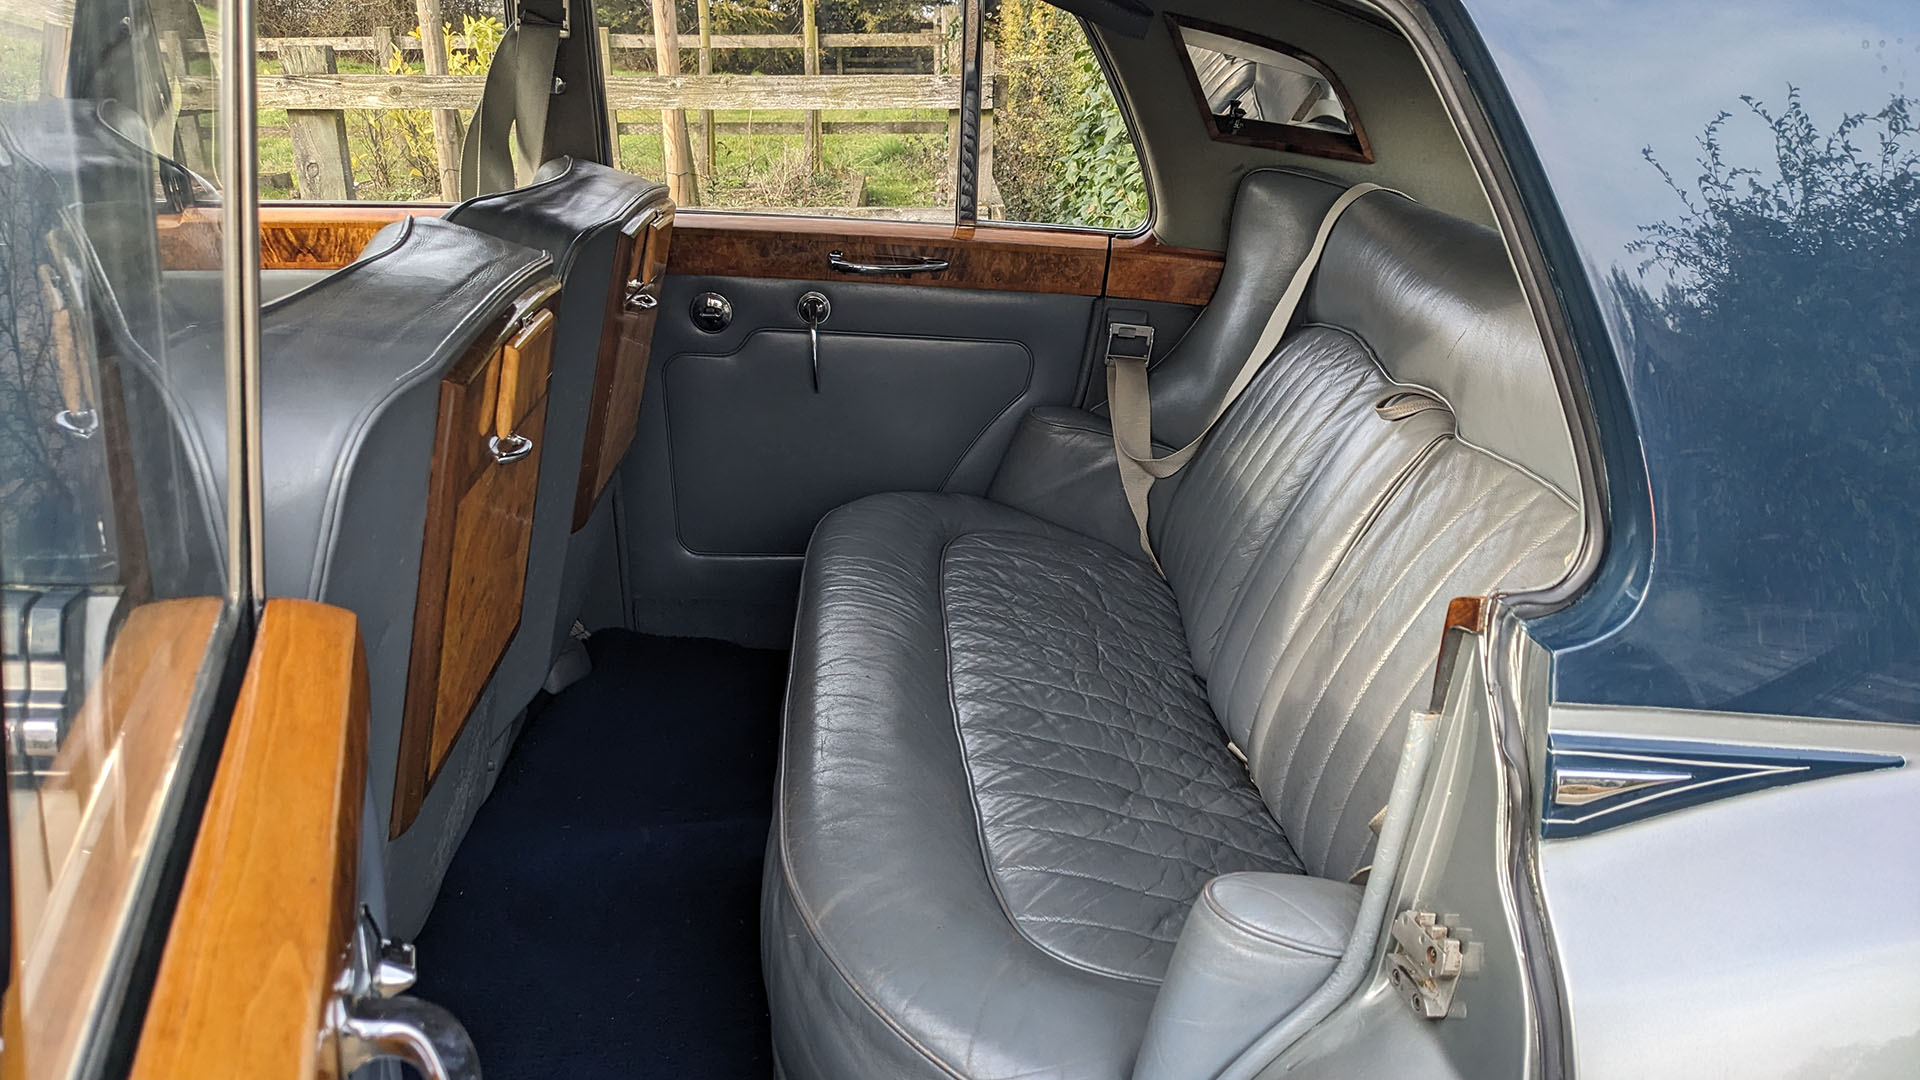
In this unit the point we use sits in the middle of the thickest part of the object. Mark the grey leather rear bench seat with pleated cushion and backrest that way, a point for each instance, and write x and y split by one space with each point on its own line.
1007 773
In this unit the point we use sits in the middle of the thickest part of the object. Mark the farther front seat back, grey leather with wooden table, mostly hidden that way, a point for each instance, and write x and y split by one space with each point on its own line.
608 233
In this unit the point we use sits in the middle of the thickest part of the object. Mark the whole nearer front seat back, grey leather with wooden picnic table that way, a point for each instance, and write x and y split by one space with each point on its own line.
404 418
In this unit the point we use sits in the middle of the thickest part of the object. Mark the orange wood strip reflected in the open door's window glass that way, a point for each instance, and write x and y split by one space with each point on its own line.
122 754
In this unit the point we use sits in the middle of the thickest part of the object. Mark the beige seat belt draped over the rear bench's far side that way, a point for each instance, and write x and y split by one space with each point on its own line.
1132 408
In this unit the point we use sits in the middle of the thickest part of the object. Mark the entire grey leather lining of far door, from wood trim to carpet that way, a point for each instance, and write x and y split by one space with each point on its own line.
919 385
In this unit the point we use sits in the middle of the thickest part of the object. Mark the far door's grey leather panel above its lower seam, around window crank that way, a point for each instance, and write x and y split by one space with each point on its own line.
919 391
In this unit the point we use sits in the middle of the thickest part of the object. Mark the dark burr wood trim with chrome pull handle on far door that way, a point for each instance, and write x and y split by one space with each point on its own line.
990 257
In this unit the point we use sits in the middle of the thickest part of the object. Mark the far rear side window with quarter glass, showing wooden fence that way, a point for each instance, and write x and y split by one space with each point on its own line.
853 110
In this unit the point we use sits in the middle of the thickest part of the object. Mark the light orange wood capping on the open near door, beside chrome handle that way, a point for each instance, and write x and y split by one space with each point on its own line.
268 908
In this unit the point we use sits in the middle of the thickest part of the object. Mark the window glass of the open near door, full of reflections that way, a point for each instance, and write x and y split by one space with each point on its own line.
118 599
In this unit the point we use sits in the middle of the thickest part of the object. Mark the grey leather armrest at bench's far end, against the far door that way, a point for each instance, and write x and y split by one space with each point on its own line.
1061 468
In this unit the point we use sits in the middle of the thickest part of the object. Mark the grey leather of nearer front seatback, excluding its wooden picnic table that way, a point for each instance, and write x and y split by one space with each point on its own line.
350 397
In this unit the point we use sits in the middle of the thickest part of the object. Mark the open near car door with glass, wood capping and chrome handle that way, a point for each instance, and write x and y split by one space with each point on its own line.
191 885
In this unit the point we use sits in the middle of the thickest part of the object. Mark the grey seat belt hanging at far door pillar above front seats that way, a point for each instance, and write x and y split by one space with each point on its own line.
519 87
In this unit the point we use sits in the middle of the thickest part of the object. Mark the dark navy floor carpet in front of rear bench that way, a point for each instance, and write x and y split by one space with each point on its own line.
602 918
